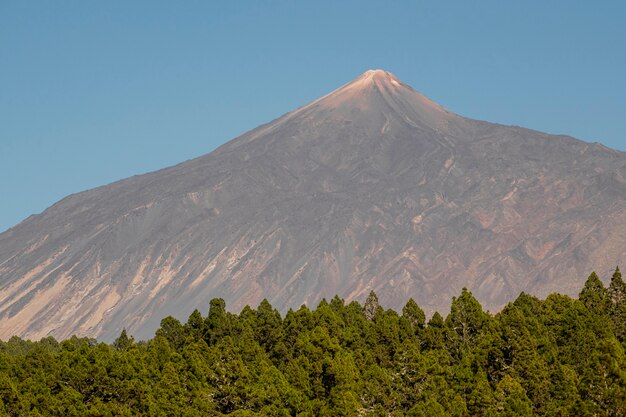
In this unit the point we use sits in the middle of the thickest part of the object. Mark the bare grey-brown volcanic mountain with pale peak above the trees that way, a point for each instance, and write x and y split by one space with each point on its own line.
372 187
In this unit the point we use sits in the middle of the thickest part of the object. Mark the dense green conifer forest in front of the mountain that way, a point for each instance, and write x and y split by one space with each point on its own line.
553 357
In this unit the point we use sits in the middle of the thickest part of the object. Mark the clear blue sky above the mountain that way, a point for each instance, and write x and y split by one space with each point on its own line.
95 91
